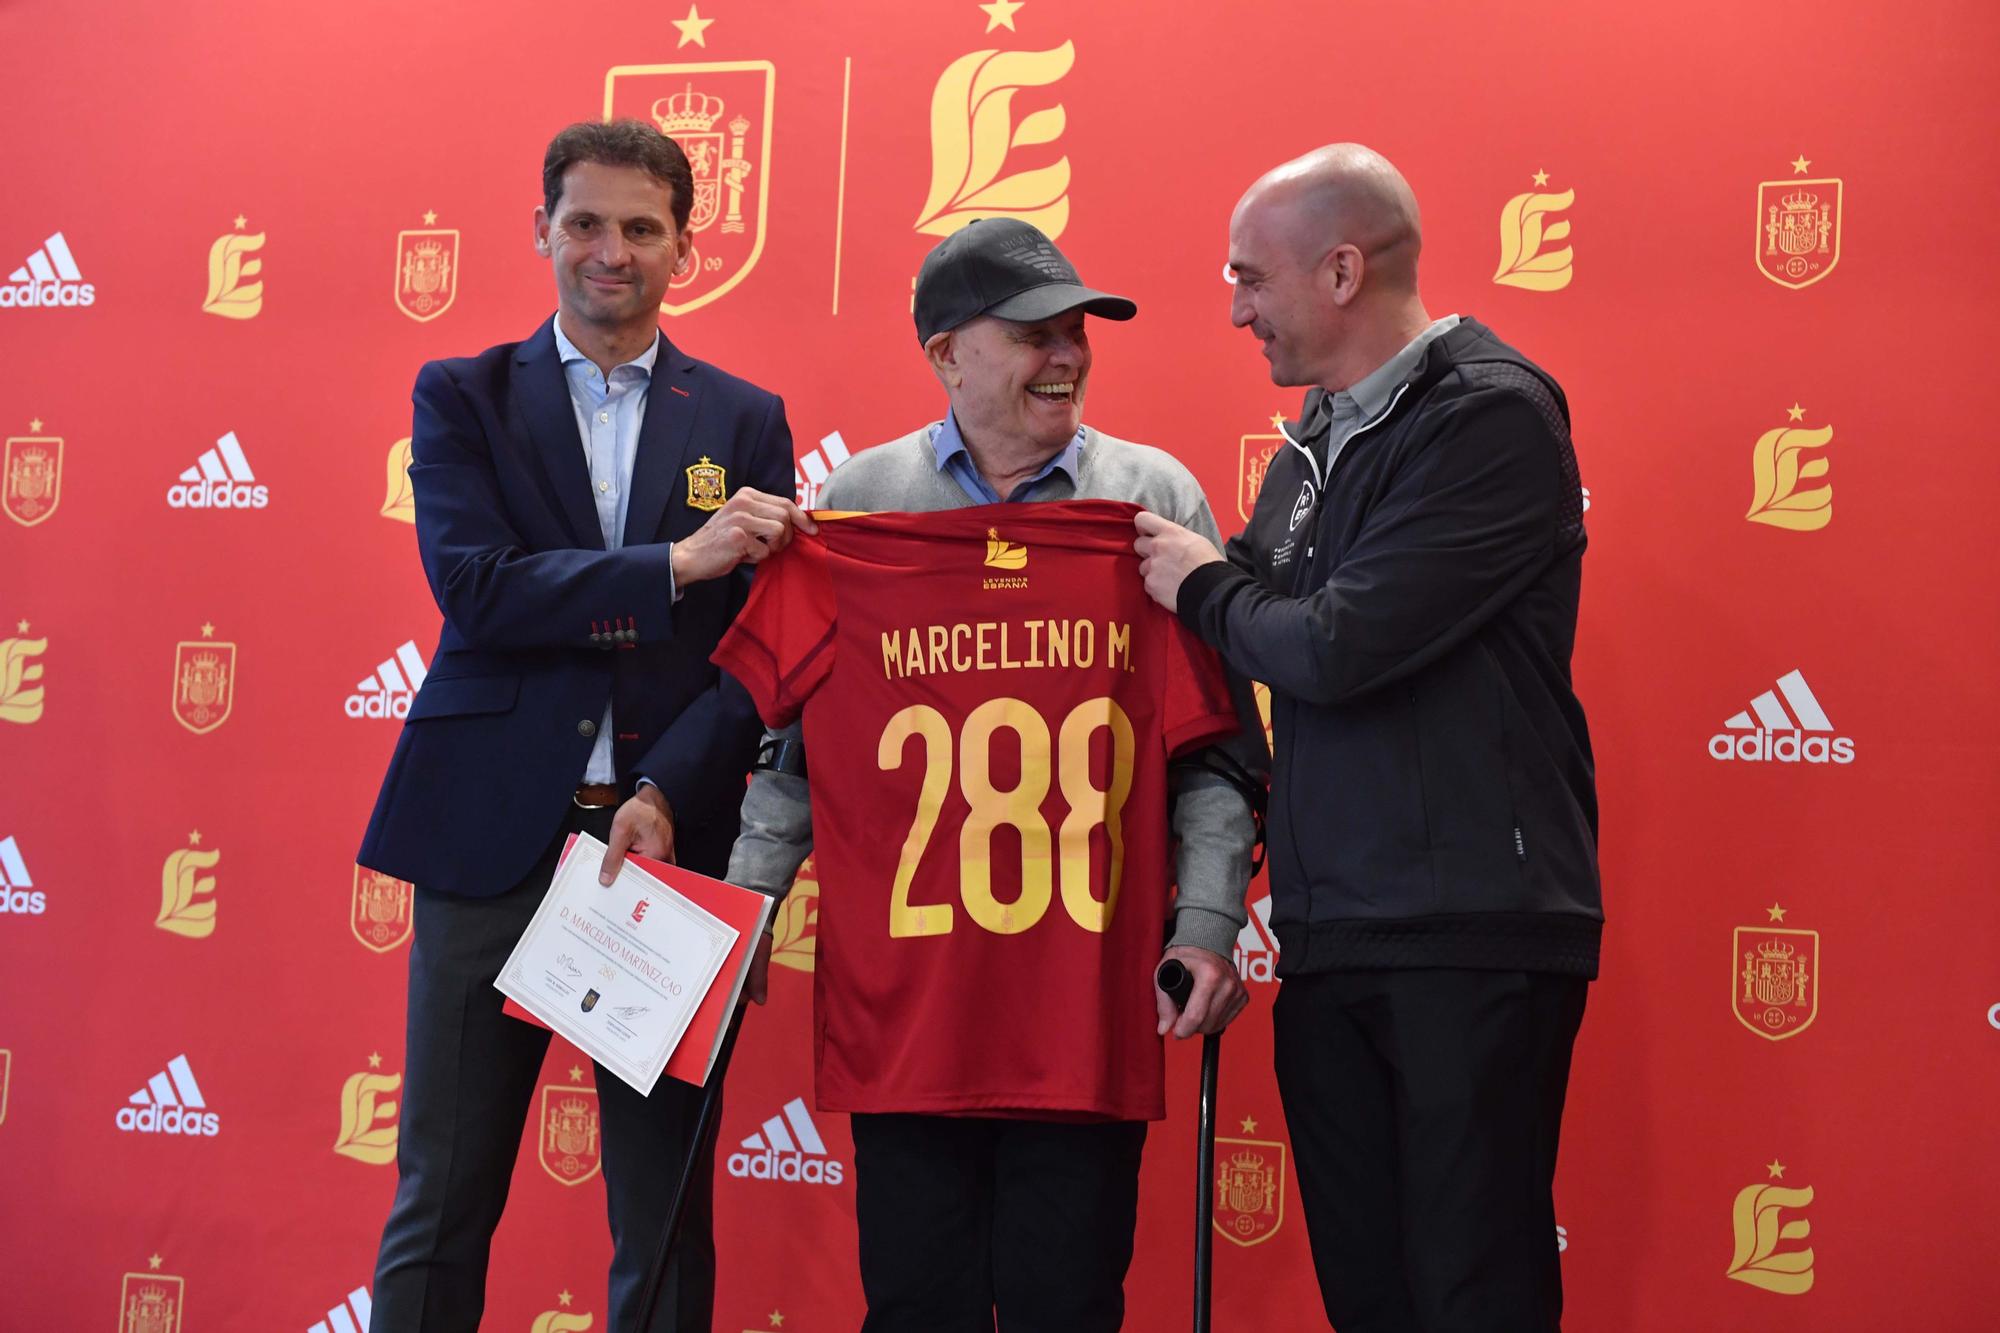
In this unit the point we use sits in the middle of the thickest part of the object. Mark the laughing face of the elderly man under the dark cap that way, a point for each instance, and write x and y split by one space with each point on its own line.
1017 383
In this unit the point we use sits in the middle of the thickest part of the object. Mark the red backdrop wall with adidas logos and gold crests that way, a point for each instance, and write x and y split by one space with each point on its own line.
1745 239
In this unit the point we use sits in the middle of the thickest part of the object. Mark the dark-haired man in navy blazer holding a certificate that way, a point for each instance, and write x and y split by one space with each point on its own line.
587 509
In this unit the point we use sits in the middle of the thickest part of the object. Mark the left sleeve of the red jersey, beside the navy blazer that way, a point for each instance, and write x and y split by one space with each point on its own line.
783 641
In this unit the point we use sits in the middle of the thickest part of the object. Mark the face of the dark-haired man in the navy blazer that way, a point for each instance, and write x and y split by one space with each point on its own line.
613 245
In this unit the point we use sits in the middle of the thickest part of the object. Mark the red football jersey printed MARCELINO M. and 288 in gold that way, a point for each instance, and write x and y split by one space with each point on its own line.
989 702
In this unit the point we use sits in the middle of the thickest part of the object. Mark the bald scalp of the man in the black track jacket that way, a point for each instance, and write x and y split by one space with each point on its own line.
1341 195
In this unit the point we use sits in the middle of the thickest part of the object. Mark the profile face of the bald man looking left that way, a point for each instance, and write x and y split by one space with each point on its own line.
1287 293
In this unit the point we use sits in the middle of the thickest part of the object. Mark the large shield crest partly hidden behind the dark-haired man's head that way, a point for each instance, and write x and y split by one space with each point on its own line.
721 119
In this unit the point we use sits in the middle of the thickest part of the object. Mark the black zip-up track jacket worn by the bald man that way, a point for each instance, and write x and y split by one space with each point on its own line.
1433 788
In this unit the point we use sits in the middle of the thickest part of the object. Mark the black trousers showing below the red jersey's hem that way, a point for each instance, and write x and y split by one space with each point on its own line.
961 1216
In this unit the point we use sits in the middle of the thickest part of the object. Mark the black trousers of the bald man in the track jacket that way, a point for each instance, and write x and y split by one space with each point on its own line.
1425 1110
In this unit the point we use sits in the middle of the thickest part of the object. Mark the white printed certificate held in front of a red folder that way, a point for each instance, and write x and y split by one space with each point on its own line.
619 972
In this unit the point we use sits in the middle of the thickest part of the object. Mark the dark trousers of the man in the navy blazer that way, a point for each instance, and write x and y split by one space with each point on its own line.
469 1084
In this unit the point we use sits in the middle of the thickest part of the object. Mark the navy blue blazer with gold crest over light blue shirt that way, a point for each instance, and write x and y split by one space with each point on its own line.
543 625
